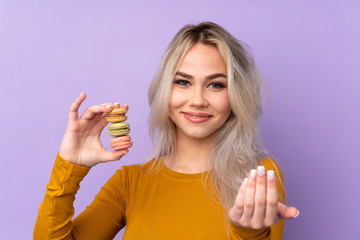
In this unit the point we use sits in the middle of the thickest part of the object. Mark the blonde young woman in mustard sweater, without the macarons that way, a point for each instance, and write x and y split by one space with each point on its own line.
208 177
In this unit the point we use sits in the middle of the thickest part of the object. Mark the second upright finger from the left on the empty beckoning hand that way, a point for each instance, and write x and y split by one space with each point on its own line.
249 200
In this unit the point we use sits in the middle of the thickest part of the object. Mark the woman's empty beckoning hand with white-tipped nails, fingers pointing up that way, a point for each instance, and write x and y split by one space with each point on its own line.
256 205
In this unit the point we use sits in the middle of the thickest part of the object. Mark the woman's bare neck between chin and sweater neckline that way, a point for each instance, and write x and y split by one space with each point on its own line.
191 155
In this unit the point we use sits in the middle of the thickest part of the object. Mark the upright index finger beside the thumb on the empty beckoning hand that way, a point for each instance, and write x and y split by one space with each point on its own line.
271 216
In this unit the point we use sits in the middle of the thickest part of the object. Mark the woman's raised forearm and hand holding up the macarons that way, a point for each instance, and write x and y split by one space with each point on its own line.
82 149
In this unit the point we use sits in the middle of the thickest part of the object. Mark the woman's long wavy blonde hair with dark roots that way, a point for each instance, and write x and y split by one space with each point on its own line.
236 148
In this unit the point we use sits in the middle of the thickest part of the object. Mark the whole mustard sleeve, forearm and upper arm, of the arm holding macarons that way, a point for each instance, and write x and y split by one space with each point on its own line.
102 219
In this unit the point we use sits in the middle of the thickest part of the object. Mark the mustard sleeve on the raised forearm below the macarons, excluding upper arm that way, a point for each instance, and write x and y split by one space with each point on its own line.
56 211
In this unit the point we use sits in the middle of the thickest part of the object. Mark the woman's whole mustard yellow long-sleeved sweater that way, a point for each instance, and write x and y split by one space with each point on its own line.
157 206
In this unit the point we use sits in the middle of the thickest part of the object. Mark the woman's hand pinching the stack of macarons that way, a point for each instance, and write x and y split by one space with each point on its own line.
81 144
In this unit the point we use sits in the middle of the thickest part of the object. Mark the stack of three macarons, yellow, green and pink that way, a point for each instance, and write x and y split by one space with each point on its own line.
118 129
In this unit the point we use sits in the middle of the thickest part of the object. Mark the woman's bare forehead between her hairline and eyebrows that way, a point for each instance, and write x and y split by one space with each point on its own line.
202 59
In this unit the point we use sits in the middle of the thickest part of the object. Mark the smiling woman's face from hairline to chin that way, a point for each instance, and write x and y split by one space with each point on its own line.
199 102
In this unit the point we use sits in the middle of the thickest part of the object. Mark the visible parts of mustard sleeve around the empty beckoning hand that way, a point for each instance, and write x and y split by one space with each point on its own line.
274 232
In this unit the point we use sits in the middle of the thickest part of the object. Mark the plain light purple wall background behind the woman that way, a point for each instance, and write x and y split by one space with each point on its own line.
308 54
